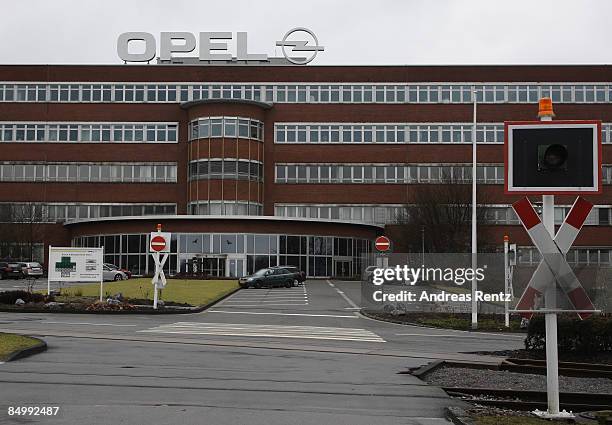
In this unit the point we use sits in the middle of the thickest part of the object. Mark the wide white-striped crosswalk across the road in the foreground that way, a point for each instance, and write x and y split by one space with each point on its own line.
271 331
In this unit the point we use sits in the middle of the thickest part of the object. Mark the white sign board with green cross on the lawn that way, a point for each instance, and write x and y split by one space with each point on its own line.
75 264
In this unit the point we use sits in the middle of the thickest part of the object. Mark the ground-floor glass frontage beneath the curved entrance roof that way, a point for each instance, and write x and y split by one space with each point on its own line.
131 252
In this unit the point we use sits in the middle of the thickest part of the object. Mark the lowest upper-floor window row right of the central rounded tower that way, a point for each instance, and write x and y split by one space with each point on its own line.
393 213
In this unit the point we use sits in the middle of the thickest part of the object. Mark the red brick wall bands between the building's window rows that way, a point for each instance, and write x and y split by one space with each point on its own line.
183 191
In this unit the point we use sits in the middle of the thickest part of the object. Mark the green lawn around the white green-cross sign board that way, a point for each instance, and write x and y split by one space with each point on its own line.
193 292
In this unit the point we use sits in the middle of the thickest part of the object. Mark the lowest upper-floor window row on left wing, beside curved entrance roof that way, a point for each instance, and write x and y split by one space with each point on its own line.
58 212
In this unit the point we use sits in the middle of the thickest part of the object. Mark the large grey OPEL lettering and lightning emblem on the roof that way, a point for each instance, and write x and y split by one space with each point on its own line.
214 46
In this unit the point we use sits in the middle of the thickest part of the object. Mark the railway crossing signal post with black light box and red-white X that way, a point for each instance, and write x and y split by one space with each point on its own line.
548 159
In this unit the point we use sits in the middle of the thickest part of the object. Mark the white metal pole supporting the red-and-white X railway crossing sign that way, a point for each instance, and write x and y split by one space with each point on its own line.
550 297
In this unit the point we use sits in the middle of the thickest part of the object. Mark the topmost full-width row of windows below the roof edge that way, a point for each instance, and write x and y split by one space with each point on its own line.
307 93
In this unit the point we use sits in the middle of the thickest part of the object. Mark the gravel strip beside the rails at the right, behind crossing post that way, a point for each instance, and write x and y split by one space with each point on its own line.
496 379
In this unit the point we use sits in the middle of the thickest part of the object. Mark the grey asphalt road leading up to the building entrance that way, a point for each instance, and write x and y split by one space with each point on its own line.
270 356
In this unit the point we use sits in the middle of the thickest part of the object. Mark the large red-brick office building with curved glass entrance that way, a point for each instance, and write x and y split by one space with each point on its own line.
251 165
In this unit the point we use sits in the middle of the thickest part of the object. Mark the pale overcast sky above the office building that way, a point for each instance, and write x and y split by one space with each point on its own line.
353 32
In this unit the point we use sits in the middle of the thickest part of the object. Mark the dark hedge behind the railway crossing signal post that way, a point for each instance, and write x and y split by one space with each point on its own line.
573 335
